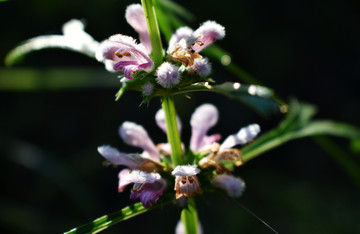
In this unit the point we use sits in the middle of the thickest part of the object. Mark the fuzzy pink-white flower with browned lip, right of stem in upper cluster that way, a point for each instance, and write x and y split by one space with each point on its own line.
185 44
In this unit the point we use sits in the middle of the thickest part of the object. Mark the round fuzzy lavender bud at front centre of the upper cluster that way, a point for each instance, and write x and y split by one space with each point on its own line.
167 75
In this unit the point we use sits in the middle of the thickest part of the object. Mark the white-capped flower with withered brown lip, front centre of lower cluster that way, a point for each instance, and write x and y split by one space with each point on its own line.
186 181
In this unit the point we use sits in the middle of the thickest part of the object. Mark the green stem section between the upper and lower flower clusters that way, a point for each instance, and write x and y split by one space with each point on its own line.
172 130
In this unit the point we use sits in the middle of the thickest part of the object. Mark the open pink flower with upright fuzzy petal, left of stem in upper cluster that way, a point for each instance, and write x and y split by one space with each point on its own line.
123 52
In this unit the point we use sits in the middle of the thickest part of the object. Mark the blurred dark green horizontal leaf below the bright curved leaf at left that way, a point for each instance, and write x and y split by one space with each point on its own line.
55 79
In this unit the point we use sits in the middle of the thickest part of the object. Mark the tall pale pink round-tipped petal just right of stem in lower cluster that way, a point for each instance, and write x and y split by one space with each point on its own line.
204 117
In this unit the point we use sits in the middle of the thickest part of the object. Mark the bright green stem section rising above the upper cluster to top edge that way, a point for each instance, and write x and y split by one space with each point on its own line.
154 33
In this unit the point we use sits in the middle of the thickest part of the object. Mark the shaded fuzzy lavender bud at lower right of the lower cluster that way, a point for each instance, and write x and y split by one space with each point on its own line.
233 186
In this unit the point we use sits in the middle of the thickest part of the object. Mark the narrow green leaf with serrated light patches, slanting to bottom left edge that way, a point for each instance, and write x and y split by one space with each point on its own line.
106 221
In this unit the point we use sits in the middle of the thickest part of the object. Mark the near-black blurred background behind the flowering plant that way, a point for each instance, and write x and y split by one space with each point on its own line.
52 178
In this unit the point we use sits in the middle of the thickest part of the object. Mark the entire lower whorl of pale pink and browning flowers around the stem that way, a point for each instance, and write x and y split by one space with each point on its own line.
150 174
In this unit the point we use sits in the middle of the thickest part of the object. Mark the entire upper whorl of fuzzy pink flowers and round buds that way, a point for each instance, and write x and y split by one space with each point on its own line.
121 52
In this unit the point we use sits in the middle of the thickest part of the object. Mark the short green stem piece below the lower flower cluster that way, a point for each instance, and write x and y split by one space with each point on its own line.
189 217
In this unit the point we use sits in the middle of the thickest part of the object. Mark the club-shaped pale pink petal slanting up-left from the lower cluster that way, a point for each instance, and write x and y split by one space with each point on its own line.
135 135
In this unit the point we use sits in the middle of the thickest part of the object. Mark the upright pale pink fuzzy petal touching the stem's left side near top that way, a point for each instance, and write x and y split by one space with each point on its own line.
136 18
